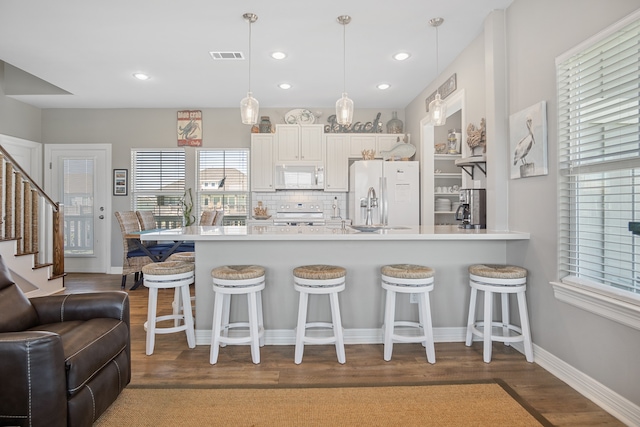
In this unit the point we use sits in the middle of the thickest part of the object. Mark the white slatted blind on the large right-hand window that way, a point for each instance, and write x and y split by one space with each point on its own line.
599 159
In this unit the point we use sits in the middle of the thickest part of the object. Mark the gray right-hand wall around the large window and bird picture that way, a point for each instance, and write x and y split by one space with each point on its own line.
536 33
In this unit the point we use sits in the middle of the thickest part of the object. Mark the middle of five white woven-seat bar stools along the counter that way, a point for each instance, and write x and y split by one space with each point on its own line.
319 280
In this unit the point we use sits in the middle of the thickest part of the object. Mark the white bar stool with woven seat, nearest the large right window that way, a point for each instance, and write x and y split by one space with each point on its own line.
503 280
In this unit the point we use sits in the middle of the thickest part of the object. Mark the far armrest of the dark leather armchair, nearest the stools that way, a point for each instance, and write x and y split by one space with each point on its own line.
61 308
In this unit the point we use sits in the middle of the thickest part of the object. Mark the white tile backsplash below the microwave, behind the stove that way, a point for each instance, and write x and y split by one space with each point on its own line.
326 199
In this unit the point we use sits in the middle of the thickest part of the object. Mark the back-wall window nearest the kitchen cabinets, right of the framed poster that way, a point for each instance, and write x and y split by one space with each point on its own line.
223 183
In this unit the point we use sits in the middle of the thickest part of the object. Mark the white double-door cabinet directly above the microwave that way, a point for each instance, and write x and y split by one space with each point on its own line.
299 143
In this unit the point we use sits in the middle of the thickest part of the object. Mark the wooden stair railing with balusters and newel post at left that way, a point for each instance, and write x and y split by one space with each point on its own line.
30 216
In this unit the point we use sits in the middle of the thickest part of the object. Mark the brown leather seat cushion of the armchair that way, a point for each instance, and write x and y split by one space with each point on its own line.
88 346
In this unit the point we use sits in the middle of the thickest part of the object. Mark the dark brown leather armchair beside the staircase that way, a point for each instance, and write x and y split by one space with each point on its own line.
63 358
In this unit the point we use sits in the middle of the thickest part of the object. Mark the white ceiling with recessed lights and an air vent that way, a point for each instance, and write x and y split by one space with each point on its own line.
91 48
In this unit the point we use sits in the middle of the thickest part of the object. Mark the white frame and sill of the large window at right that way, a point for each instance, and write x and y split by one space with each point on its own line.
621 306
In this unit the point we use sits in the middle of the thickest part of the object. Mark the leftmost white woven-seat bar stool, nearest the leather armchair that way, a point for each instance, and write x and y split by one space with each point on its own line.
168 275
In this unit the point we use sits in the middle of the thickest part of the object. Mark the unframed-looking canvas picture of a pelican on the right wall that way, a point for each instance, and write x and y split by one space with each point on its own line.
528 141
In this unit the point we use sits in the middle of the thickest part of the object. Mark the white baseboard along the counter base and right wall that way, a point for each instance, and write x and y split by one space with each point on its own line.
610 401
